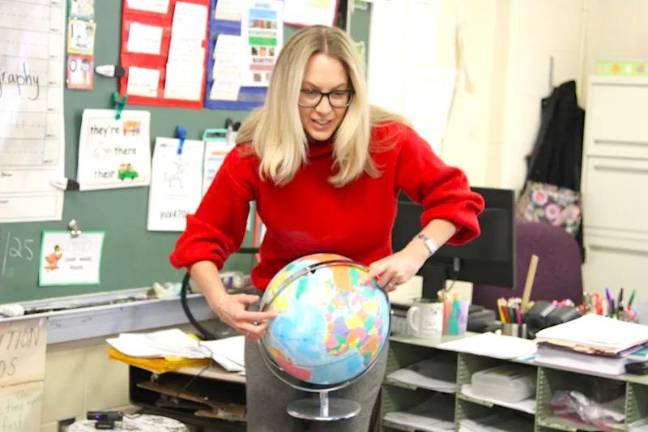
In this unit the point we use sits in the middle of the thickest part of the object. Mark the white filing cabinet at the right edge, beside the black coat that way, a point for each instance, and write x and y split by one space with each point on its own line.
615 187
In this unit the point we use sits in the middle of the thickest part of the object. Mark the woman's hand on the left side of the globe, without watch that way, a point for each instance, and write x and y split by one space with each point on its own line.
231 309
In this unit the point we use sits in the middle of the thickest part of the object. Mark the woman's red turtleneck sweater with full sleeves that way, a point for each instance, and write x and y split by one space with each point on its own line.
309 215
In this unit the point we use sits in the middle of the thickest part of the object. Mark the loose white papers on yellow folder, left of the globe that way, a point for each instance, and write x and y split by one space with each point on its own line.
228 352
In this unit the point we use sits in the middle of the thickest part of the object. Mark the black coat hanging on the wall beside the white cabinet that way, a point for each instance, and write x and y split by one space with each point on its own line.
557 153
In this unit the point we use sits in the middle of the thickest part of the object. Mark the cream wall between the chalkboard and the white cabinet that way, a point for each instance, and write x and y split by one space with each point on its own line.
508 45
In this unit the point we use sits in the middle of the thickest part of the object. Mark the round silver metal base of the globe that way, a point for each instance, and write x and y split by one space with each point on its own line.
324 409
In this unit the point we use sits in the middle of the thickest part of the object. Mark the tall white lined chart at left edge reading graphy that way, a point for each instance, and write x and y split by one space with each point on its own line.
31 109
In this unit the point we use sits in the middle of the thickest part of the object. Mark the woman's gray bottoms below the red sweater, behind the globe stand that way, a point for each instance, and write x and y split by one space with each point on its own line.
267 398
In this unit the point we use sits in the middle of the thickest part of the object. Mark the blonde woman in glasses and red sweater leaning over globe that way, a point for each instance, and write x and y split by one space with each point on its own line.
325 170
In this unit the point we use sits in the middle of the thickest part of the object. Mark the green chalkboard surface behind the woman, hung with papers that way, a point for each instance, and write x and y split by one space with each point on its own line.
132 256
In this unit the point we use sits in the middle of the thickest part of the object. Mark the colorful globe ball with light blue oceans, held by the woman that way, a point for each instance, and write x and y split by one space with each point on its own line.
330 327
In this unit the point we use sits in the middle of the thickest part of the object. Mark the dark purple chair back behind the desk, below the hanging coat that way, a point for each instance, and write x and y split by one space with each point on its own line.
558 275
